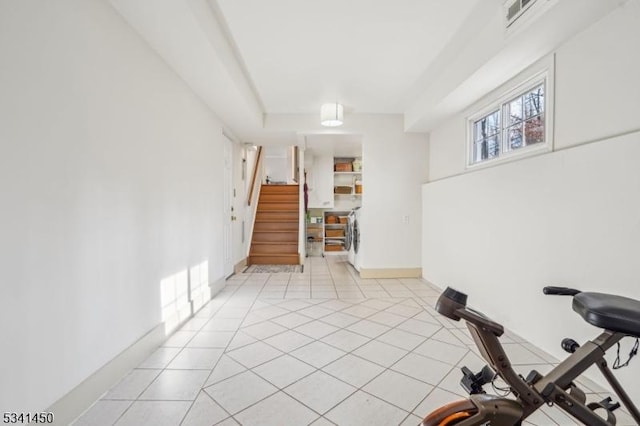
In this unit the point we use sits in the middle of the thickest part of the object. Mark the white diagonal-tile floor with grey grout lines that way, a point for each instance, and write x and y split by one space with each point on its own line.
321 347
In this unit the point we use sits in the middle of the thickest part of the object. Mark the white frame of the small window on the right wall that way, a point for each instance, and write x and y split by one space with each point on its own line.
497 100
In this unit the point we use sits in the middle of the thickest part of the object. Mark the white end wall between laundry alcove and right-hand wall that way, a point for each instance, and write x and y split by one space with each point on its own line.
393 170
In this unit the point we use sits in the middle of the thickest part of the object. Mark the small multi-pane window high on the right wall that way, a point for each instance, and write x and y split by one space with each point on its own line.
515 124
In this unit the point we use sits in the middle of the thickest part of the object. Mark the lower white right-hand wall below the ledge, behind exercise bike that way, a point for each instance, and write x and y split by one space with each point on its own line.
503 233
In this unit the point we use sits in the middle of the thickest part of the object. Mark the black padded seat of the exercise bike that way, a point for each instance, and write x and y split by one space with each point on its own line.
615 313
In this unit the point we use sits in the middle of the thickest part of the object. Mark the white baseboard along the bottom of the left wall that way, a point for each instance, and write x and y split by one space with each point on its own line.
78 400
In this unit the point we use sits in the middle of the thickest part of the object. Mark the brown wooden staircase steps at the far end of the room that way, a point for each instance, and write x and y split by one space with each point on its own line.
275 232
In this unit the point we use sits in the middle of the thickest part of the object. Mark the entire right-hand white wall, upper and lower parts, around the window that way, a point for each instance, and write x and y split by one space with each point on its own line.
566 218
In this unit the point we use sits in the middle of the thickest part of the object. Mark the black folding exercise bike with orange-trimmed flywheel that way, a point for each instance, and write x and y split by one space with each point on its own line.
618 316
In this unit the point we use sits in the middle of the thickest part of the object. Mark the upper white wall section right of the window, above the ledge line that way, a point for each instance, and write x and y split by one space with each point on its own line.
597 87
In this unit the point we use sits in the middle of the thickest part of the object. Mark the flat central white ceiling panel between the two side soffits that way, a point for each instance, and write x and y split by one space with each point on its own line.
367 54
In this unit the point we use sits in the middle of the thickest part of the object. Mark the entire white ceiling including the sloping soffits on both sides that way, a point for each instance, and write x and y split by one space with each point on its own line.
265 66
